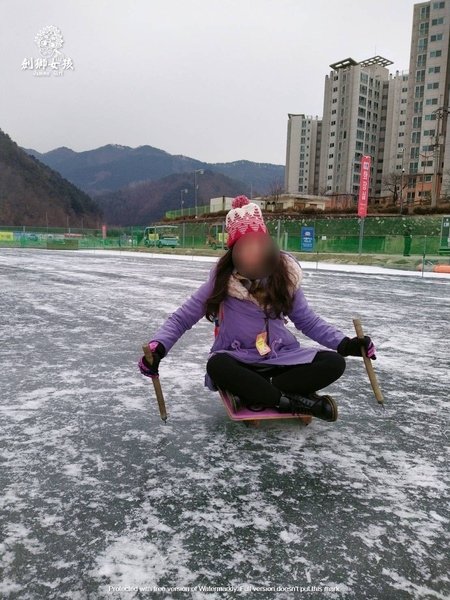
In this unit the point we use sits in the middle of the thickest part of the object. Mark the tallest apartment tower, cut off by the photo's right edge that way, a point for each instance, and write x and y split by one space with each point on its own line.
427 131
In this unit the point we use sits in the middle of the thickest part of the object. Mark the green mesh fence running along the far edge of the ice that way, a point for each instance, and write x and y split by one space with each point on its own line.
390 236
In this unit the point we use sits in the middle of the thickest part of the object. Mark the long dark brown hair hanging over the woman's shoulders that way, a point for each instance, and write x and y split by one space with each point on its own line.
277 291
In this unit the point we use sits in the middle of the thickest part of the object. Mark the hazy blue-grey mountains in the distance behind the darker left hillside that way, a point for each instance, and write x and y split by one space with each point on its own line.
135 186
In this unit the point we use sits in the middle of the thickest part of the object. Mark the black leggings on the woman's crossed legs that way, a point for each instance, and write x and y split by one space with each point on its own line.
254 386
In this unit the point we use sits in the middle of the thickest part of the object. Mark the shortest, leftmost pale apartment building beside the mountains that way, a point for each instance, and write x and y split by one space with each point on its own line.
302 154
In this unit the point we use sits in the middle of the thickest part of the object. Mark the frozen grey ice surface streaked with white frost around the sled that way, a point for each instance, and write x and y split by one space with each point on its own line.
96 491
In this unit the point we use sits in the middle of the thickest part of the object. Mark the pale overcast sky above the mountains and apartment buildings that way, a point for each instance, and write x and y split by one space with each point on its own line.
210 79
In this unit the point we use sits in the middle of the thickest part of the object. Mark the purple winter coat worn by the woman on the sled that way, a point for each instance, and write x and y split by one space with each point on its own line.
242 320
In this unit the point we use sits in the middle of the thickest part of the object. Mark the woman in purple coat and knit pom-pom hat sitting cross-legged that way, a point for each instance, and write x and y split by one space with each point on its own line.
251 292
